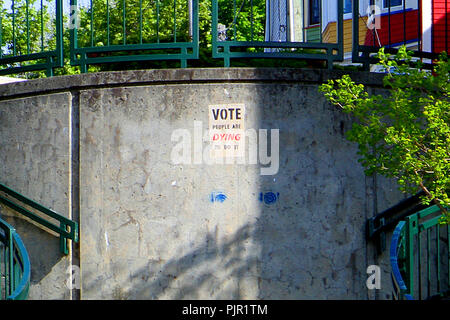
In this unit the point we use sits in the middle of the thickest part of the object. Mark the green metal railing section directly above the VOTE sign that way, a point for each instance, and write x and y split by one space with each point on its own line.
236 36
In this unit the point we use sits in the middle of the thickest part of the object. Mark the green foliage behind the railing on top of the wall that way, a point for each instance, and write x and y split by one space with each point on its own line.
107 23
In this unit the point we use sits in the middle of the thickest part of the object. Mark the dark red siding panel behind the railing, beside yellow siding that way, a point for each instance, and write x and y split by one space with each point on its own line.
398 33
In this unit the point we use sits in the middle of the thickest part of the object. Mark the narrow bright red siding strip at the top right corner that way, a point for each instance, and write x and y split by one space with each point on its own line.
441 27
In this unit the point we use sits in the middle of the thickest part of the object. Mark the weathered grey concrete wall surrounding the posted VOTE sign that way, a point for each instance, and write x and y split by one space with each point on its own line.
99 149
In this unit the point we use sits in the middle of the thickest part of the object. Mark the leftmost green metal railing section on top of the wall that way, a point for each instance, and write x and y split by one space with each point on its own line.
29 41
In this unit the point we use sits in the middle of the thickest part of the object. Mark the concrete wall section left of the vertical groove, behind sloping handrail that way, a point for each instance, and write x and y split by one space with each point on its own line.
35 157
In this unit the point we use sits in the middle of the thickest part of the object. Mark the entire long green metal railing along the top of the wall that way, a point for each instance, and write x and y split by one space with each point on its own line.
41 35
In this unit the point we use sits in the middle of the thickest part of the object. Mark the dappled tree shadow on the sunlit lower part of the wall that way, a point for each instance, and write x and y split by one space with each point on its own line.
187 276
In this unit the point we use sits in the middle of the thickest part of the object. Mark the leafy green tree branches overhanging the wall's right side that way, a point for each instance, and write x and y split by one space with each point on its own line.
406 134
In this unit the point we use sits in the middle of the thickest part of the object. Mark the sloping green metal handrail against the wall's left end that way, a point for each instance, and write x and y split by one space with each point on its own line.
66 228
